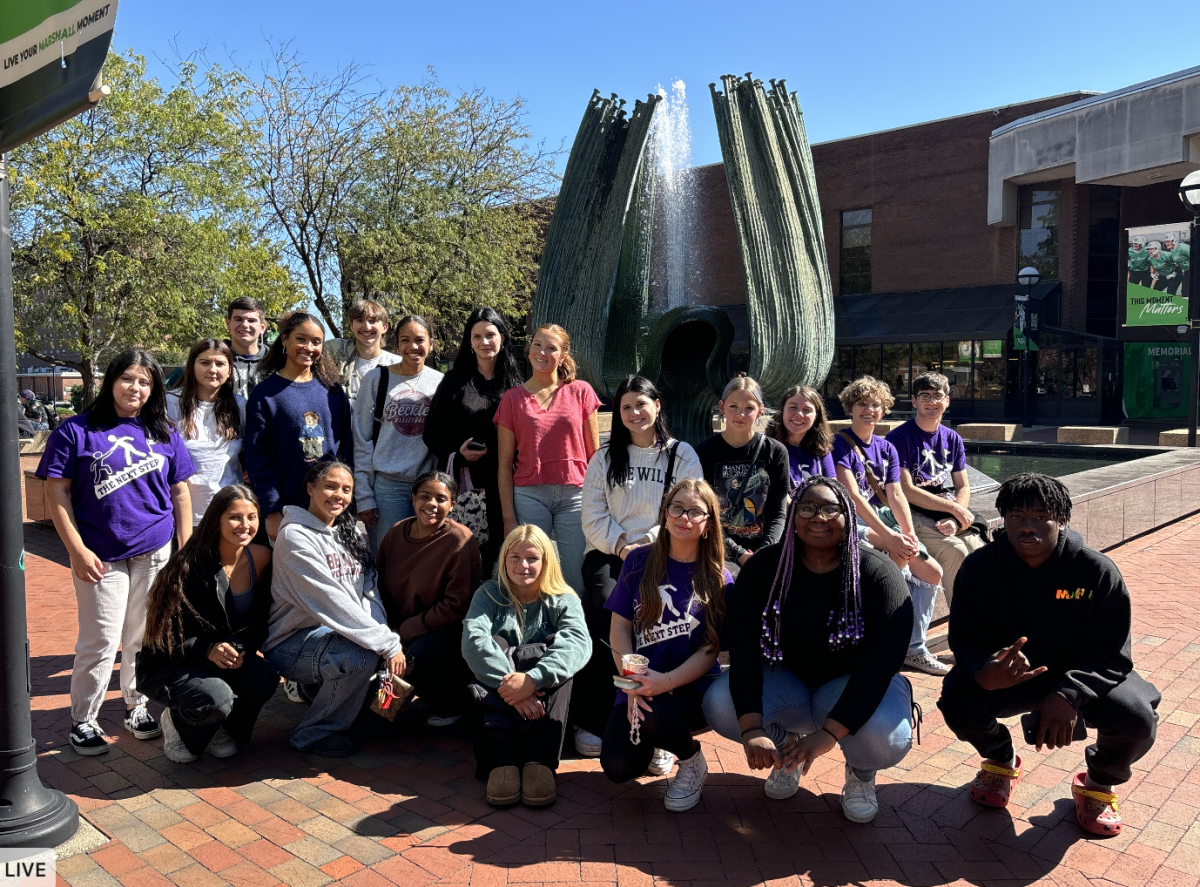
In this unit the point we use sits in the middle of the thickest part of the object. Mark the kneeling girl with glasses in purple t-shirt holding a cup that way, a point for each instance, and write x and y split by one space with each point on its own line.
669 607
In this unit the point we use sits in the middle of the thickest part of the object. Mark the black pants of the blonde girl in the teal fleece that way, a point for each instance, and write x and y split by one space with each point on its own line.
503 738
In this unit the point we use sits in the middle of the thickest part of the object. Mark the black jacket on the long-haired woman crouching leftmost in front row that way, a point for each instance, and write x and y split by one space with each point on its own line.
213 621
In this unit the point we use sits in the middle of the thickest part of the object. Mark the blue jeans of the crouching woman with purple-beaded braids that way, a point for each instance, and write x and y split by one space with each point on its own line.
789 706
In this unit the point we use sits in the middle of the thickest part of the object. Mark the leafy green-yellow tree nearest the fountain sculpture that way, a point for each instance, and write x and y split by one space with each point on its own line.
451 211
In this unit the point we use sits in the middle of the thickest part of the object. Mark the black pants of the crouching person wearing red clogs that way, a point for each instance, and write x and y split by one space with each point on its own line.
1126 721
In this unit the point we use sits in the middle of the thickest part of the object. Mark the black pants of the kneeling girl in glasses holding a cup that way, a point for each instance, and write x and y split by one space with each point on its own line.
668 727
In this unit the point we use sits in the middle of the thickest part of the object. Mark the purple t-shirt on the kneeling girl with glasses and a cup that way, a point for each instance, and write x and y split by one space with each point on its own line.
681 630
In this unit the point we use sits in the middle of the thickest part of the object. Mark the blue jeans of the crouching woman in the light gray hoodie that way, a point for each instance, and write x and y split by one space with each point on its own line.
335 674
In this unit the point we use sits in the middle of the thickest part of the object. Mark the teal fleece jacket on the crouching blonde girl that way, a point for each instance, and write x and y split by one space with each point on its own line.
491 615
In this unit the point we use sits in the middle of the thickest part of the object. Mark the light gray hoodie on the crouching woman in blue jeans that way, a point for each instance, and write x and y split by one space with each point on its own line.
317 583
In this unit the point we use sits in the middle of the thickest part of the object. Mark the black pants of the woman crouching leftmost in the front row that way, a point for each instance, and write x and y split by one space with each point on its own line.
203 699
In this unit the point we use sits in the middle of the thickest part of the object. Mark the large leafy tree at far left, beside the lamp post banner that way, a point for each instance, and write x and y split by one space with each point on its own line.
133 225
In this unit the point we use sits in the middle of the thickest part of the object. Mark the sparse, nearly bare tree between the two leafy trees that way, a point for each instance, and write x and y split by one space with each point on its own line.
315 142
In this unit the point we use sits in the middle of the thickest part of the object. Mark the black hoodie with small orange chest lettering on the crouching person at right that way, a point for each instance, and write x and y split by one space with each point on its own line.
1075 610
